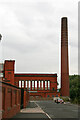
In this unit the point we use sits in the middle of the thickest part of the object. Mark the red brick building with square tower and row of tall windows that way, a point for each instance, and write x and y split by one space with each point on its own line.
39 85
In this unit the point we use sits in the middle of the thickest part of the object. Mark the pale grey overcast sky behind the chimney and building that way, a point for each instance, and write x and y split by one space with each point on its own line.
31 31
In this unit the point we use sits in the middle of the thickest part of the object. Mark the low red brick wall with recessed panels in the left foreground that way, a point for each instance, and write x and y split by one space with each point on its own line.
11 100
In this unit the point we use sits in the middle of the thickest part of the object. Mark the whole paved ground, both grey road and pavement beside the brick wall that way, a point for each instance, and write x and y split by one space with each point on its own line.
47 110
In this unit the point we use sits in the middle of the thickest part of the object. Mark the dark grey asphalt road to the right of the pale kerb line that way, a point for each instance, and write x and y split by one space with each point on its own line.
58 110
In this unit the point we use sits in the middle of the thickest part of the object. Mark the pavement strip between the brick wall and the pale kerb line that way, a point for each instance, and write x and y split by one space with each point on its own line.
32 112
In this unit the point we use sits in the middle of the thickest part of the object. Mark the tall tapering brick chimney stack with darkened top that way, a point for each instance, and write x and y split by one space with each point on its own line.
64 58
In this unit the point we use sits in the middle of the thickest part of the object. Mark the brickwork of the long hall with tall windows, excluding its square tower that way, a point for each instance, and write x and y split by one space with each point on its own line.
39 91
